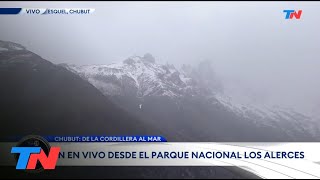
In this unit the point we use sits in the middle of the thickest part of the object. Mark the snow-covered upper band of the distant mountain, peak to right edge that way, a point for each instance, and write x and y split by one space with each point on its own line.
143 77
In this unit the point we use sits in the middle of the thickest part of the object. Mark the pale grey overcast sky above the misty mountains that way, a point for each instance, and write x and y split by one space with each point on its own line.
253 47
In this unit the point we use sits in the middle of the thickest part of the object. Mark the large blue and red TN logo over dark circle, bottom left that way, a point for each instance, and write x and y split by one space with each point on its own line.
34 153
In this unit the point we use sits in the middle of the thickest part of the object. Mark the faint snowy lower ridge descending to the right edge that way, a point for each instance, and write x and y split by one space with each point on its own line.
273 116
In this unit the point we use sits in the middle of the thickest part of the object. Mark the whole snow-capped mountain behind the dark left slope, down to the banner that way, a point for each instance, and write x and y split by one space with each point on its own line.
191 102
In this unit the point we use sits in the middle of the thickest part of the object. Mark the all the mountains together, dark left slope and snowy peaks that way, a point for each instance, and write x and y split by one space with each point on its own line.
136 96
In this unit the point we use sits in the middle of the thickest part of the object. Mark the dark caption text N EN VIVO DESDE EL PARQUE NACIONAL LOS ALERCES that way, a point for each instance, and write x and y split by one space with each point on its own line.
182 155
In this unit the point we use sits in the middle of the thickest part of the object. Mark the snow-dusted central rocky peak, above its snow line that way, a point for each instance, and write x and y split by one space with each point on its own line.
138 76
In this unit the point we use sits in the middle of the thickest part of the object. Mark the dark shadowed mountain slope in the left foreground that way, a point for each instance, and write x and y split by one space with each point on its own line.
38 97
